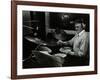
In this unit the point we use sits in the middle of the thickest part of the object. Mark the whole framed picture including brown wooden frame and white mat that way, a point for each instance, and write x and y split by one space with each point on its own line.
53 39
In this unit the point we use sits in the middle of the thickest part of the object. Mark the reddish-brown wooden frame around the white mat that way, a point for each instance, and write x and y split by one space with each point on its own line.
14 38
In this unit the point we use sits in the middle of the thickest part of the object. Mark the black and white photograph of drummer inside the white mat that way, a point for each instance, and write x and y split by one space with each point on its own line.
55 39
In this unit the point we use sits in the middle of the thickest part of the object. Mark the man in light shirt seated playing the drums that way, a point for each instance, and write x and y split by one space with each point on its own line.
80 44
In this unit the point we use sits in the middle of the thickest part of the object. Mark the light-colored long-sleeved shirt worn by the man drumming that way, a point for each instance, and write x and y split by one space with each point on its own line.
80 43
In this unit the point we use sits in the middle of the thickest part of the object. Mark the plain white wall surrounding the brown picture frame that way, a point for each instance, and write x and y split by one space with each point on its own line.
5 40
